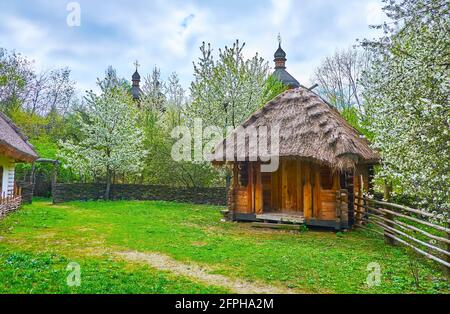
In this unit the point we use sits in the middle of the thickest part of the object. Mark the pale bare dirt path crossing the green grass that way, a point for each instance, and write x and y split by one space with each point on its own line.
166 263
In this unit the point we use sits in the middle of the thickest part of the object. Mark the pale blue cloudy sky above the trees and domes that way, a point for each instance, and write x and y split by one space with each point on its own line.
168 33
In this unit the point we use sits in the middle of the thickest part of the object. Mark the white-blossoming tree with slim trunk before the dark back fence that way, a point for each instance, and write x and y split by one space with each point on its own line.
112 139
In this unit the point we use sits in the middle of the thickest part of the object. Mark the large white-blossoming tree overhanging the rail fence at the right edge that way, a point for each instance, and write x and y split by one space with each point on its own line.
407 92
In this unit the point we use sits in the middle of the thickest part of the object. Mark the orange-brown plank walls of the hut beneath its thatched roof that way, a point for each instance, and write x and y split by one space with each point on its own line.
296 187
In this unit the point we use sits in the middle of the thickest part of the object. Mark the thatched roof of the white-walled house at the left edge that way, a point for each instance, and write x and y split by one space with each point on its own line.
13 143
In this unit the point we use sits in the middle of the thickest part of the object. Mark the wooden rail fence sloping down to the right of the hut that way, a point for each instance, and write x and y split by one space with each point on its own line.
421 231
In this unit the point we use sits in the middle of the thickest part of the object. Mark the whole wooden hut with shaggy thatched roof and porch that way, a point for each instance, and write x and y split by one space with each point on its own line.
319 154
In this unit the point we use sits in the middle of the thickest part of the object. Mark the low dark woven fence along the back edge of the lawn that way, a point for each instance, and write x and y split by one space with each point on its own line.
94 191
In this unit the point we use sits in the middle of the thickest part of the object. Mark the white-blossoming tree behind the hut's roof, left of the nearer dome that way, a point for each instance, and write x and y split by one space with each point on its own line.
227 91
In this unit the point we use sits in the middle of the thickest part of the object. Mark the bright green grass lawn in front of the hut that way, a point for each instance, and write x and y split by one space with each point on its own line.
40 240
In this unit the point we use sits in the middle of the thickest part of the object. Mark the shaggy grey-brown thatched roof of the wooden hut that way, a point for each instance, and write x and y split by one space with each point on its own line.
310 129
